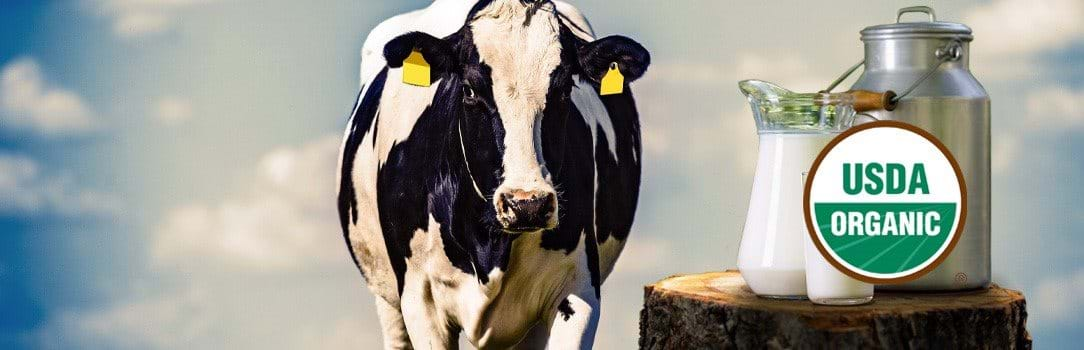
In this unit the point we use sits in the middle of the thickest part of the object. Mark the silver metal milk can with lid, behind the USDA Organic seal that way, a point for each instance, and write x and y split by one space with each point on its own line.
927 62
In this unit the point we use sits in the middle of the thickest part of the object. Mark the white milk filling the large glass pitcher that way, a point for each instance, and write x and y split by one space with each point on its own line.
772 255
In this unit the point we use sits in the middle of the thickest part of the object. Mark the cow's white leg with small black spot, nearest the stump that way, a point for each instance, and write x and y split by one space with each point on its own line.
576 322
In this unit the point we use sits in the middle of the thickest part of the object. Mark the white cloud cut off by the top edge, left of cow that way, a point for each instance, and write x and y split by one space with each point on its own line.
134 19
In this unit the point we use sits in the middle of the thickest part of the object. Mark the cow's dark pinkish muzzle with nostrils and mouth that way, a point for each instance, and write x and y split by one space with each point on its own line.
523 212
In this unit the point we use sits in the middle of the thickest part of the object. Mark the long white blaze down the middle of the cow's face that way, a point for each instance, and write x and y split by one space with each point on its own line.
522 58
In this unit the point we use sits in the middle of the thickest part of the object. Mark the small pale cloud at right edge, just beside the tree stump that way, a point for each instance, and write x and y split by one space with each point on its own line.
1060 300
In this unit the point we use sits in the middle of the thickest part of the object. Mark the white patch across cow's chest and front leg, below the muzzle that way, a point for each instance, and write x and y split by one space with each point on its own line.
492 316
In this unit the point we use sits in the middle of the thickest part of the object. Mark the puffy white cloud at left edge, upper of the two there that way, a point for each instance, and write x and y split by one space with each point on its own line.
27 102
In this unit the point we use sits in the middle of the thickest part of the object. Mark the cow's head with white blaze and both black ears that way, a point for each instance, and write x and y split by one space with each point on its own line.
512 67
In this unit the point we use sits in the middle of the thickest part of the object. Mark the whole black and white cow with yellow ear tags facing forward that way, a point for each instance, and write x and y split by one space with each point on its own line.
497 201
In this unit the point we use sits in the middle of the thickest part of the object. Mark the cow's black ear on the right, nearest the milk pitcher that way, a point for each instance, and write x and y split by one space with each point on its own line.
631 58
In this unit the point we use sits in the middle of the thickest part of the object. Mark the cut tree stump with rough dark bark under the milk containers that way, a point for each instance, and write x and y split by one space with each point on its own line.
718 312
